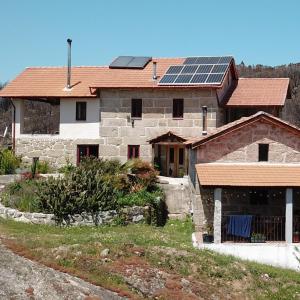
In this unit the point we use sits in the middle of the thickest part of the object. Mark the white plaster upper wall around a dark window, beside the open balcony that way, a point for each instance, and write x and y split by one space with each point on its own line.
69 128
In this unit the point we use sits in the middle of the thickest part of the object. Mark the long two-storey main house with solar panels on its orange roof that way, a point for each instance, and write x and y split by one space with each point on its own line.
126 109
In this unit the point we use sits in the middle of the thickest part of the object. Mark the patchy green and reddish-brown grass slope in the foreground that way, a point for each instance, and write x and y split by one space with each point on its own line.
153 250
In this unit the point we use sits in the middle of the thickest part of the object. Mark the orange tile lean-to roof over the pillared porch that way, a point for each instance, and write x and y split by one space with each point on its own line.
246 175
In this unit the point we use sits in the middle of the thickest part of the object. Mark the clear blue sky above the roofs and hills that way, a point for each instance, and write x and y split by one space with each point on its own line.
34 32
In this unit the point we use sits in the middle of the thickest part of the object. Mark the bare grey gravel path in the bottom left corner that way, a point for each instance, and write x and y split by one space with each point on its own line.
21 278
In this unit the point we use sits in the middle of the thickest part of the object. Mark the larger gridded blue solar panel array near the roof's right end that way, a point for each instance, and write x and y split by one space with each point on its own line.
197 71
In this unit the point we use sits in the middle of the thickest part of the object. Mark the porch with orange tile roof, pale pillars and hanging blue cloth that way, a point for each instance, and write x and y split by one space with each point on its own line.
252 202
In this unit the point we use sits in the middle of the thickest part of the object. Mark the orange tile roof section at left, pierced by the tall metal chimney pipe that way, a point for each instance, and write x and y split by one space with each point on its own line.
50 82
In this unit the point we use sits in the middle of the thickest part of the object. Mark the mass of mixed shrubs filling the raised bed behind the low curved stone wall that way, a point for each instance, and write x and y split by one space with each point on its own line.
95 185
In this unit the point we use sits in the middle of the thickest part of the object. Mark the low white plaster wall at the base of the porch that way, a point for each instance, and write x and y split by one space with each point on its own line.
278 255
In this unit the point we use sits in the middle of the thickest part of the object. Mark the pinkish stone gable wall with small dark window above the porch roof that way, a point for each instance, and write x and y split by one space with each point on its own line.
242 146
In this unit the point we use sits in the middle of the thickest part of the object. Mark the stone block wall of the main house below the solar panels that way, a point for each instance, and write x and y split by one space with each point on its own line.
117 131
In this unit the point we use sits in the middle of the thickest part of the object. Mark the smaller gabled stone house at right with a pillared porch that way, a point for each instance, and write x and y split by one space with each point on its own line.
248 167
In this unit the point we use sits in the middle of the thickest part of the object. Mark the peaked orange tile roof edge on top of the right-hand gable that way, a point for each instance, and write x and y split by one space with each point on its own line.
194 142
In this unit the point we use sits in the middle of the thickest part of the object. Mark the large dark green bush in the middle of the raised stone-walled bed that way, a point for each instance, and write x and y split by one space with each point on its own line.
89 188
